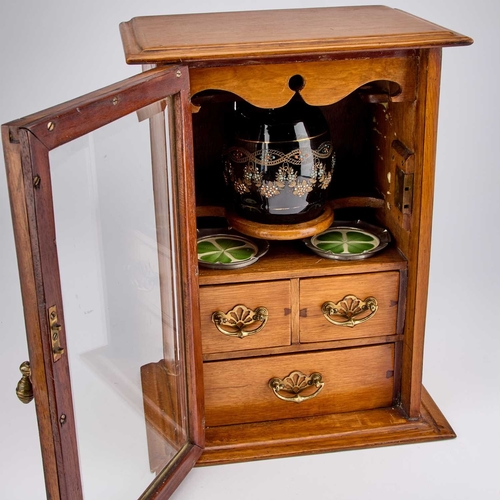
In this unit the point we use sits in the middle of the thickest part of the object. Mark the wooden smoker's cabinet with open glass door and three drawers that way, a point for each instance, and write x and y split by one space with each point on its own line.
131 374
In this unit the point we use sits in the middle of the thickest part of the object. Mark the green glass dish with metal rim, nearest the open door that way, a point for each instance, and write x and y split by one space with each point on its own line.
229 251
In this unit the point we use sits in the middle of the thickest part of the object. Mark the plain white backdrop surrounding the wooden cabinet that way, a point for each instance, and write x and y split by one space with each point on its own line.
56 50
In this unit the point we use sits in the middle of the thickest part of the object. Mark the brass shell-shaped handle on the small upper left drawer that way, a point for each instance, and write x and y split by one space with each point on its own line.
239 319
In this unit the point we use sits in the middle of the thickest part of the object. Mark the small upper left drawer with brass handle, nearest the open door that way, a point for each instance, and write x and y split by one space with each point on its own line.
234 306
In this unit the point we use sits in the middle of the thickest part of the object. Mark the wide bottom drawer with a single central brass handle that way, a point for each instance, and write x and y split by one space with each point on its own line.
238 391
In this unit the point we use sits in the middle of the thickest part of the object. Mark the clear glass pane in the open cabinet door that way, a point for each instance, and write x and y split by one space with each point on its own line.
117 238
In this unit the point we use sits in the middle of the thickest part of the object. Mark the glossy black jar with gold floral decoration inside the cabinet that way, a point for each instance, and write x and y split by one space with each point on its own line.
279 165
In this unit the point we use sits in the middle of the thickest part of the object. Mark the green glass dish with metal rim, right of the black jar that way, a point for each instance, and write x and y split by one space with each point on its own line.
349 241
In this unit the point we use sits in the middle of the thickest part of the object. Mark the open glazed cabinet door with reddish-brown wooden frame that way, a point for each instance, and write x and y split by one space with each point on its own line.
104 216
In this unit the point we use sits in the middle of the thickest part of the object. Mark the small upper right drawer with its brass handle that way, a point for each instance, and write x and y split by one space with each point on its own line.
351 314
